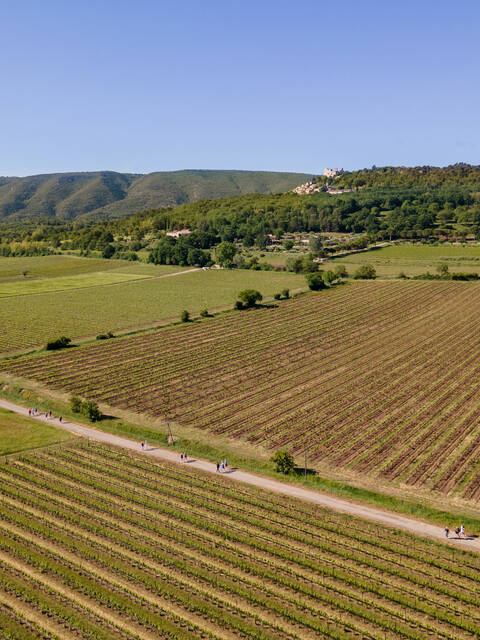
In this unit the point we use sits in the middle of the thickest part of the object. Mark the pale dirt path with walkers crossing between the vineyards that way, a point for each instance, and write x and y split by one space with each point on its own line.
337 504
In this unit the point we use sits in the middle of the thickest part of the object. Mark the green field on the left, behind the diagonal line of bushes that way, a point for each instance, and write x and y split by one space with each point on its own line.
31 320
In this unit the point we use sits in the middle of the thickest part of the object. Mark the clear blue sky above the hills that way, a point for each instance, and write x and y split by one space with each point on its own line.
273 85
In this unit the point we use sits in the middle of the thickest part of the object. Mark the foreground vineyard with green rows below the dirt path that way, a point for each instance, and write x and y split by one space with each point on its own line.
98 543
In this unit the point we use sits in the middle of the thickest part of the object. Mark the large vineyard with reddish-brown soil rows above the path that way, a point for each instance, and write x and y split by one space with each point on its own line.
377 378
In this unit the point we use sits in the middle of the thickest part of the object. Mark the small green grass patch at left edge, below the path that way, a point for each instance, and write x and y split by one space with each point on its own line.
18 433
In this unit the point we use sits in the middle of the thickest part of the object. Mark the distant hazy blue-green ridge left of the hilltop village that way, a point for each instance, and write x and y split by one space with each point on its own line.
107 194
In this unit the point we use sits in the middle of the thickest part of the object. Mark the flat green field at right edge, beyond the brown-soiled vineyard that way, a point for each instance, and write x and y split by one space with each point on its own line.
412 260
